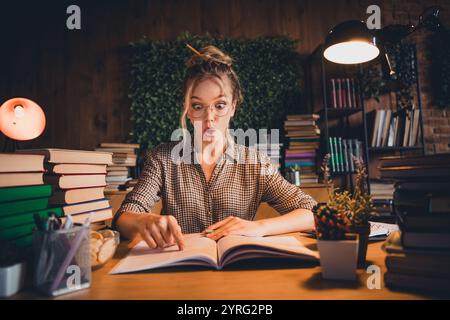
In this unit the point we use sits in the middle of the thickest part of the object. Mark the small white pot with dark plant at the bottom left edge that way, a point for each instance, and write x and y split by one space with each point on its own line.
12 269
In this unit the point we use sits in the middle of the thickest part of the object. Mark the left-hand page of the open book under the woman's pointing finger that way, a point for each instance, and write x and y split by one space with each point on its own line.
199 250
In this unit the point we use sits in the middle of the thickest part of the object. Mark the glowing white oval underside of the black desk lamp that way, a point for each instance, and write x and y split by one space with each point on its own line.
351 52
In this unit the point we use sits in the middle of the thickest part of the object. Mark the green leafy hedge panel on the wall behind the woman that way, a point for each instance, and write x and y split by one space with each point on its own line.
269 70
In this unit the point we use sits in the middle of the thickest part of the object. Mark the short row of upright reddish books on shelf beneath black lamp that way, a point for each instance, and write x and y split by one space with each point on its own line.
344 93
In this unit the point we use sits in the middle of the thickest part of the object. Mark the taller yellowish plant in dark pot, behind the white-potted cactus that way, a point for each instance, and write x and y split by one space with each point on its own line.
357 206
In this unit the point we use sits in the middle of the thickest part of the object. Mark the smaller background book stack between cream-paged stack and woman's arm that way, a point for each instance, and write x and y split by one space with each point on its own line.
124 160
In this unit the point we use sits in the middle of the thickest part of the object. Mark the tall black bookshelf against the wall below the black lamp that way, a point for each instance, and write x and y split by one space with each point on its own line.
356 122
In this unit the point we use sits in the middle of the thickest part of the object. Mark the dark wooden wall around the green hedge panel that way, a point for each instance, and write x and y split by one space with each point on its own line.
81 77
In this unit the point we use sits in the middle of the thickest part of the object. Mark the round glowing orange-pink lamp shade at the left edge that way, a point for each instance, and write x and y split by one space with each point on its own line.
21 119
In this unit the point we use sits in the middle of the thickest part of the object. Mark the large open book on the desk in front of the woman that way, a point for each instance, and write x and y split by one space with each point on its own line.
202 251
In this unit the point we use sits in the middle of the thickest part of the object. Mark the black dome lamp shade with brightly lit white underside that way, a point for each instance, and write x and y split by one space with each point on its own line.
350 42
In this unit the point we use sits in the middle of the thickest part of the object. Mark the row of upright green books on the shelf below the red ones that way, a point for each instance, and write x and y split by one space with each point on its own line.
342 153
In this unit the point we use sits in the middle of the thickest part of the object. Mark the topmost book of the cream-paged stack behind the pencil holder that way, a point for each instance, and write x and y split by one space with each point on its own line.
72 156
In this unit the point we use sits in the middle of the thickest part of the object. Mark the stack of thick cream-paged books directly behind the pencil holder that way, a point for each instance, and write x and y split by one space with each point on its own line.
78 180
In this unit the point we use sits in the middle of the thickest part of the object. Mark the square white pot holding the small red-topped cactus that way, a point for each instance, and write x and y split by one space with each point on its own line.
338 258
